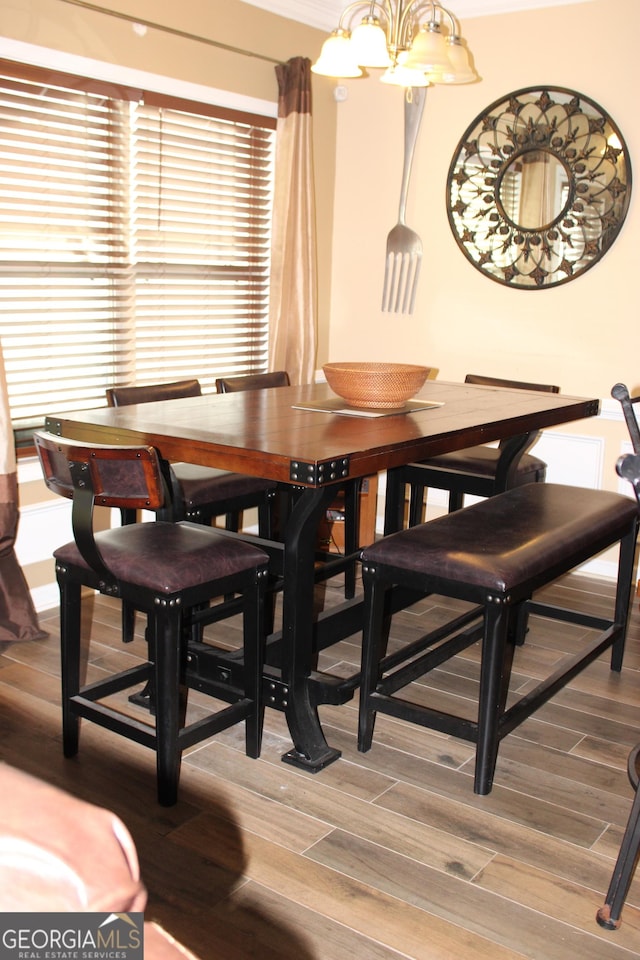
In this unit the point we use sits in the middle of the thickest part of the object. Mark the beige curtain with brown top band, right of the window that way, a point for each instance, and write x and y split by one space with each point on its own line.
293 311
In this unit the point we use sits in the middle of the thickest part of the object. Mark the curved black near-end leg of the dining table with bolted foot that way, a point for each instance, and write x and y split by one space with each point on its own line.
310 750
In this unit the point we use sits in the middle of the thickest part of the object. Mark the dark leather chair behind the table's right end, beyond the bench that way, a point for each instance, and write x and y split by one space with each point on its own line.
480 471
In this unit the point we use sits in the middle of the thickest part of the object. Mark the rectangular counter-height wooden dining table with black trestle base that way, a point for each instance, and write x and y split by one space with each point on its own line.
308 440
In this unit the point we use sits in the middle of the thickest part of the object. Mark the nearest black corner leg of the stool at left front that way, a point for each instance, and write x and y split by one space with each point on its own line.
170 695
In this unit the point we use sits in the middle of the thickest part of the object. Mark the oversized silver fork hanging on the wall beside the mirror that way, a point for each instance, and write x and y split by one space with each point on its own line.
404 246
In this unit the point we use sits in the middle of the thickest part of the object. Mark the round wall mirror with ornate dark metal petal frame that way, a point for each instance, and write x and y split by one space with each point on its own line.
538 187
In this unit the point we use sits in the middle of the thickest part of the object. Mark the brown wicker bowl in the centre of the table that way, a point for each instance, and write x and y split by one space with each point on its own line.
375 385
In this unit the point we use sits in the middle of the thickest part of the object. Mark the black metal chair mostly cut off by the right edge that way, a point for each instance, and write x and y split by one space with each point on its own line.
608 916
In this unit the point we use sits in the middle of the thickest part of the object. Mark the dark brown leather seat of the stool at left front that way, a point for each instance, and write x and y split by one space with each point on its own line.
168 557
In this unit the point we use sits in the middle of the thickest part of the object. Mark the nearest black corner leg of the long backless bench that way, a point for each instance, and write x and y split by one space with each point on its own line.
494 679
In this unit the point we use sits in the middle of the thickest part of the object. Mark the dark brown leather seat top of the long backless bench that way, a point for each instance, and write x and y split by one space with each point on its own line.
510 539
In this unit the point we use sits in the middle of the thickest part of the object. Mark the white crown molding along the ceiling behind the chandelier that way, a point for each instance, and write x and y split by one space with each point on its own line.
324 14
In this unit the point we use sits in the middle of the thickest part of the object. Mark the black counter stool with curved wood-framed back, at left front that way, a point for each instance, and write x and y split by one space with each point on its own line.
170 571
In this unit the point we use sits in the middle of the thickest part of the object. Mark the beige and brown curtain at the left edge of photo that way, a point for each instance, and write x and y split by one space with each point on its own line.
18 620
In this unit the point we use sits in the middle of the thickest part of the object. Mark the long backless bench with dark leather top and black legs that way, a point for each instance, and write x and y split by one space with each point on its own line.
495 554
